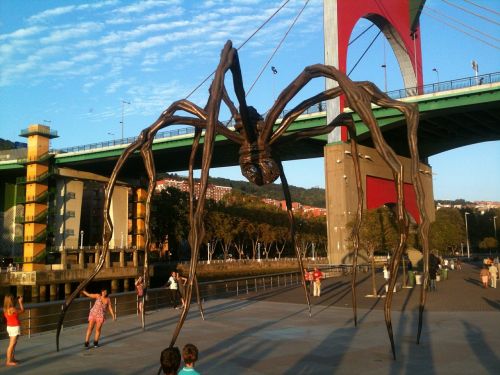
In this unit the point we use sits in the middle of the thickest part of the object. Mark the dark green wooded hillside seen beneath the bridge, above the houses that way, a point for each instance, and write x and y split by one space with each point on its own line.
312 197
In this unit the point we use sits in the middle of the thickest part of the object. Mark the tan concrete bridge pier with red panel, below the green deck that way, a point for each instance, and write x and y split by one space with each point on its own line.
378 188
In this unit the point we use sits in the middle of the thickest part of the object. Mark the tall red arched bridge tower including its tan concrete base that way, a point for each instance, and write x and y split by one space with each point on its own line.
398 21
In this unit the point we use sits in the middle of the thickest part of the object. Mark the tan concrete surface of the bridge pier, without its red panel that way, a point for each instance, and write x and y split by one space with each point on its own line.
341 191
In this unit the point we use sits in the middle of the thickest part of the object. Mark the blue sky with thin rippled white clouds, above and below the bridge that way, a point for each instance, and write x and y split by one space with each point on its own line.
70 64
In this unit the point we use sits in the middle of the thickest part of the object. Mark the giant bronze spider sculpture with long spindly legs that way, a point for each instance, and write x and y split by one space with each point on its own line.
259 141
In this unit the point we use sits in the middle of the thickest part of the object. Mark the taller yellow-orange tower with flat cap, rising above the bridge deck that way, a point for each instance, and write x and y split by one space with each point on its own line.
37 195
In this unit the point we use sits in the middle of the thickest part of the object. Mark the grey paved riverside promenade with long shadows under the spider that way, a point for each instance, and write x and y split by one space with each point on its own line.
271 333
